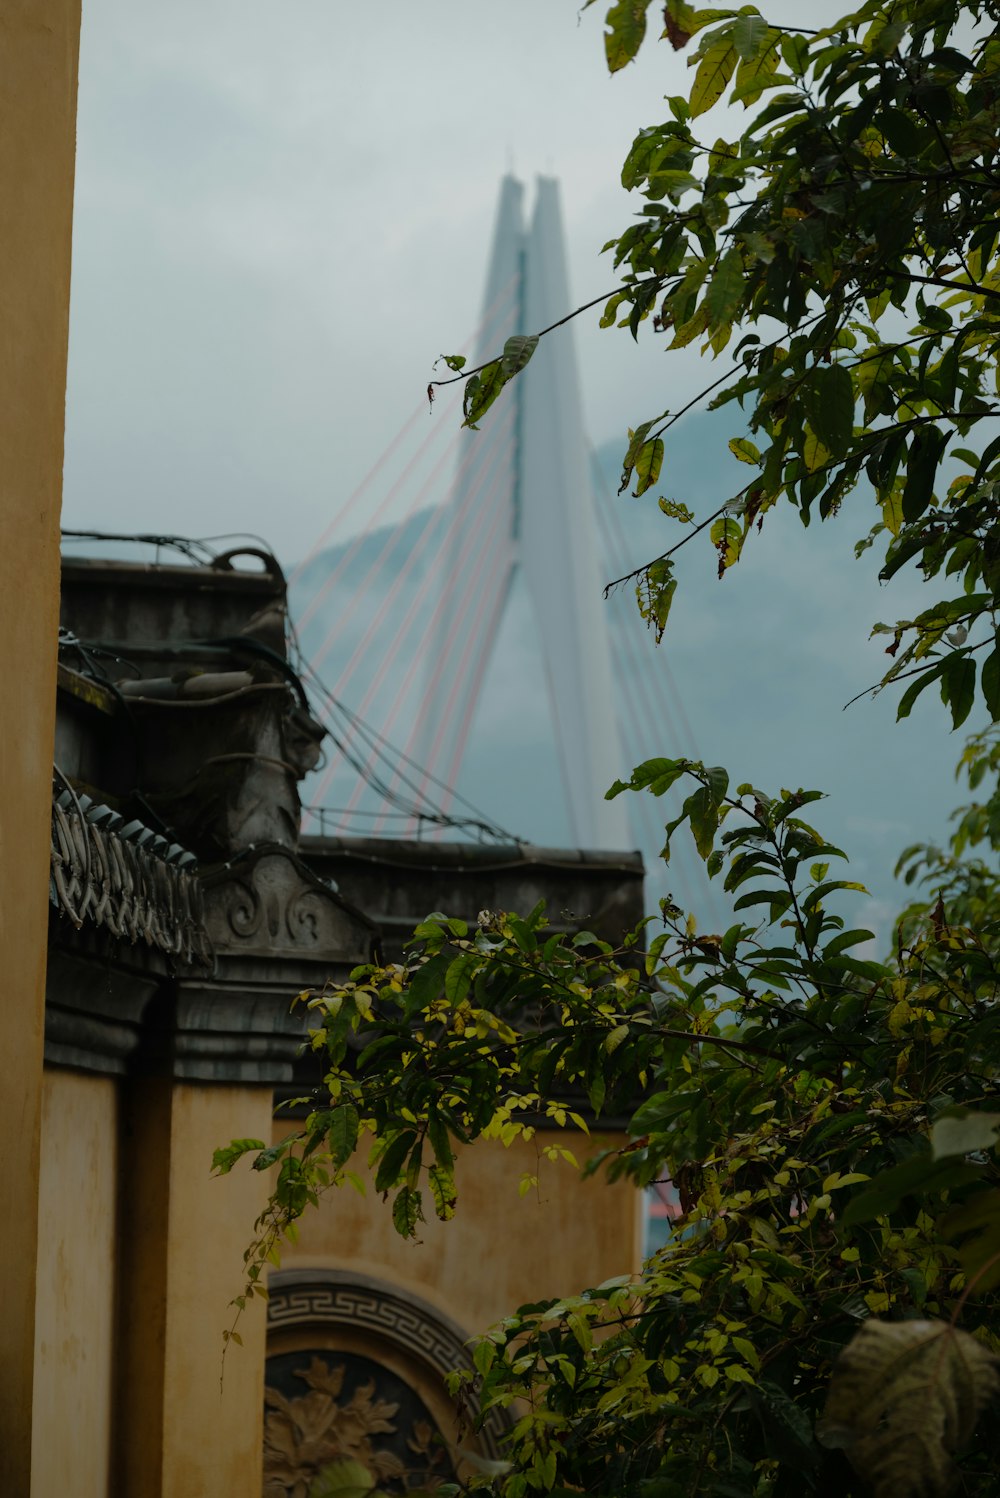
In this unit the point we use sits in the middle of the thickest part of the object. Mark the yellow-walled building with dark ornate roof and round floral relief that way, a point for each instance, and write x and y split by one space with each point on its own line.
186 913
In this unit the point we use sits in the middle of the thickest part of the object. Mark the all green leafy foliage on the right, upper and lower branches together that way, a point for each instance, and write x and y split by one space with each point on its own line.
826 1117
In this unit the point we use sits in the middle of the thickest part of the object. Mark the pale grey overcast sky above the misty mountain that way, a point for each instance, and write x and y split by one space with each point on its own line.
282 218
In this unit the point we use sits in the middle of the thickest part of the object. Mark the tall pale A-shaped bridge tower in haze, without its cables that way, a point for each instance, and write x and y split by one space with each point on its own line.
538 512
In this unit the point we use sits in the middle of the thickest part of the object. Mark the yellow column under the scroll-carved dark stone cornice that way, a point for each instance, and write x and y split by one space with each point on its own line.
182 1434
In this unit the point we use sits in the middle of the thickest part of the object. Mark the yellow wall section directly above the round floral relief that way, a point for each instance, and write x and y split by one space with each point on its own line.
501 1250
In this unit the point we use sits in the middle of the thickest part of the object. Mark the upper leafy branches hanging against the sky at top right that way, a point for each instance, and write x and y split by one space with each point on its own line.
850 242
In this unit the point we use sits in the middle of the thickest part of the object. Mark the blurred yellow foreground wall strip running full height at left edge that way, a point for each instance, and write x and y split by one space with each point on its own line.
40 43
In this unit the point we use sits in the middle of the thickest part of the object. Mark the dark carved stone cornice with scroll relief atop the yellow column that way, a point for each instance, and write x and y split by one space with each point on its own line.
122 1003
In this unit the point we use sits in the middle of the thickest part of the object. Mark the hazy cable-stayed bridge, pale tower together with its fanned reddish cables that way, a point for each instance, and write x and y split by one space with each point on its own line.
475 545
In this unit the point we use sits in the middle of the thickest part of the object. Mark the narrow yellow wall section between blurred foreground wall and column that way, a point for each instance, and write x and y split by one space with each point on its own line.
74 1331
